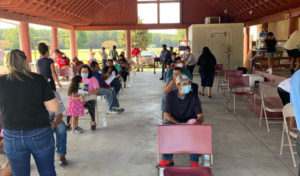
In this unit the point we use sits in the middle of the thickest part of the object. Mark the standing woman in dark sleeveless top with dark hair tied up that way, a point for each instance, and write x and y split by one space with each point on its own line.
45 66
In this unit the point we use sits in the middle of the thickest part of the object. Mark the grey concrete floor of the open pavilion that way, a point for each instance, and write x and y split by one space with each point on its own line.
128 145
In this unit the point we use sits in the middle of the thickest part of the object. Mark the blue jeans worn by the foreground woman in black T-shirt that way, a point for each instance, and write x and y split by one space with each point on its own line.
19 145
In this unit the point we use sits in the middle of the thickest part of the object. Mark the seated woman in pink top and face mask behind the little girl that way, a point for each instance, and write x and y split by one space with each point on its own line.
88 78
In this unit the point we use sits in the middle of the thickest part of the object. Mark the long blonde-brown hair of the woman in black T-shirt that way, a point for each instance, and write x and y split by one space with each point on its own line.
16 61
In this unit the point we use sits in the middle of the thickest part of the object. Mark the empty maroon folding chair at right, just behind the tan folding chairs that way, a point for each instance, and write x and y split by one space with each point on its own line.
238 82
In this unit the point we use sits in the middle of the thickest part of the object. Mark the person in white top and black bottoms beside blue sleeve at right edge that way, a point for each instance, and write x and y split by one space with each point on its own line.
284 89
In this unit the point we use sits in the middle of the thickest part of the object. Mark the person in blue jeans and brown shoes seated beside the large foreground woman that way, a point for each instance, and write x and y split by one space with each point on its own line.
60 129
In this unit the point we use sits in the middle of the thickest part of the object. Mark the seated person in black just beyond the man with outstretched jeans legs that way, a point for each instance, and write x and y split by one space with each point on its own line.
107 71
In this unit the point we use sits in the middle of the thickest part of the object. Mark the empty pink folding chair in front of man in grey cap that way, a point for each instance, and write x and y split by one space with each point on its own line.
185 139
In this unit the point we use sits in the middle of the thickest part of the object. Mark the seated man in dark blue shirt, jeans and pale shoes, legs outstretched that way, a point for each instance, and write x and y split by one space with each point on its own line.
111 97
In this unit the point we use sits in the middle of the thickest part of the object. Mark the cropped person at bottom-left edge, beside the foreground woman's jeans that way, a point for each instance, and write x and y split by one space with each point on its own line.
4 163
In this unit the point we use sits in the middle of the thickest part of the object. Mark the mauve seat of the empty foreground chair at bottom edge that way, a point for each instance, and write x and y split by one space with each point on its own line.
188 171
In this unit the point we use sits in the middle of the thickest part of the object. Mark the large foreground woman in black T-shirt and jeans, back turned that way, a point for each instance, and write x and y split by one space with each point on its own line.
25 99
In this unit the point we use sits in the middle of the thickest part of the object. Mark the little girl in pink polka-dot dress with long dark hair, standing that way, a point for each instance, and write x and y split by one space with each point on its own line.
75 103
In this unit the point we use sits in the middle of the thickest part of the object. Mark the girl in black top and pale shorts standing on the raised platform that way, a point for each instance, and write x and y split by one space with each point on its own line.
270 42
